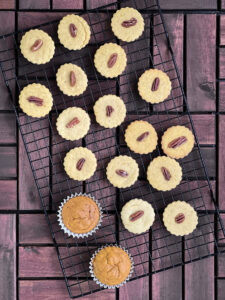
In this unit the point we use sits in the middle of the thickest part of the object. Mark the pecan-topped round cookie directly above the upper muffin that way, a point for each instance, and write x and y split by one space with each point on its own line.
80 163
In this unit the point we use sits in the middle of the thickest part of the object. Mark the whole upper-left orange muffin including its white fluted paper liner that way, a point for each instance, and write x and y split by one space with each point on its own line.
80 215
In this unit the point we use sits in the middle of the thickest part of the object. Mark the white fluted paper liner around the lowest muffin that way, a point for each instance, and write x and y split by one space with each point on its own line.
96 279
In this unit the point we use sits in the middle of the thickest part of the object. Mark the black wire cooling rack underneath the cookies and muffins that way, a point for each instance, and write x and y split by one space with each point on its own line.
153 251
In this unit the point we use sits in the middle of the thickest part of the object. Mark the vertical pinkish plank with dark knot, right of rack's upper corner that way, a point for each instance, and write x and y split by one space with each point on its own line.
201 61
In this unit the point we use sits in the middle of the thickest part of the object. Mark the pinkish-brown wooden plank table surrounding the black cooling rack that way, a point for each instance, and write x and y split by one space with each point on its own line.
28 264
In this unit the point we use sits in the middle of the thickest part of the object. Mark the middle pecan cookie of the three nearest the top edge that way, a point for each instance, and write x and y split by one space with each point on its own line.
81 36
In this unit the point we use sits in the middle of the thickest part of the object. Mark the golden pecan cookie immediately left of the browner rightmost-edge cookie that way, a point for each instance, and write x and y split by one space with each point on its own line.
141 137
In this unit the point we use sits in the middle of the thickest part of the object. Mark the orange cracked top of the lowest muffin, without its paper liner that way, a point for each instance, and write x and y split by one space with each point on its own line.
111 265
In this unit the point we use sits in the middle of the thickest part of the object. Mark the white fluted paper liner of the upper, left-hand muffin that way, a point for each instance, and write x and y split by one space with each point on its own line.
69 232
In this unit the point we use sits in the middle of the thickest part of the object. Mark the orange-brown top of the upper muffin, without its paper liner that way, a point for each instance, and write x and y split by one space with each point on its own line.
80 214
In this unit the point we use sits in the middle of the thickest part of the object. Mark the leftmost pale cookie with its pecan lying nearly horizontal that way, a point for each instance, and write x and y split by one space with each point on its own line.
35 100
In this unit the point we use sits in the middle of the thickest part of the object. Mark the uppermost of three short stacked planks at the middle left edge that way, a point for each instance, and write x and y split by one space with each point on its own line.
7 128
